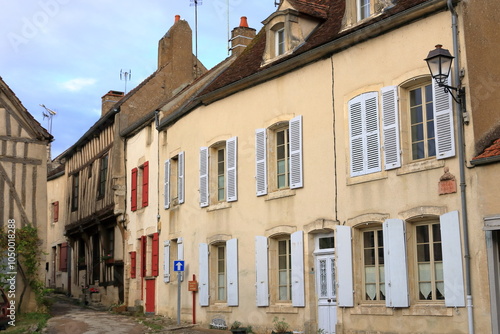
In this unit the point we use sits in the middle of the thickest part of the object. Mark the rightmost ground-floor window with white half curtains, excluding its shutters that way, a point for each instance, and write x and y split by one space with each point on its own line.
429 262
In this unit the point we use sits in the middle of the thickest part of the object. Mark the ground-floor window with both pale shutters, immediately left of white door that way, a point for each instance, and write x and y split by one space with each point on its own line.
275 267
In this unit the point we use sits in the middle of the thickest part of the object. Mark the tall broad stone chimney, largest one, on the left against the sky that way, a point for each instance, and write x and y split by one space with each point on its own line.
176 49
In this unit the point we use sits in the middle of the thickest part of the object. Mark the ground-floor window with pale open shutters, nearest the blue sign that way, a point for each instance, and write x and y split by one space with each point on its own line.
219 273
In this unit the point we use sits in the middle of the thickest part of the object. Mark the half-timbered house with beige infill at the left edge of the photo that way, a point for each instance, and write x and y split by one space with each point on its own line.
24 147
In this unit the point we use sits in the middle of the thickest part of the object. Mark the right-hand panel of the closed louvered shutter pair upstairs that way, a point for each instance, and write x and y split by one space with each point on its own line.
372 133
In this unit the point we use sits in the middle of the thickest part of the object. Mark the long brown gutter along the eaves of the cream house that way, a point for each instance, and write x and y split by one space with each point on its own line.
338 45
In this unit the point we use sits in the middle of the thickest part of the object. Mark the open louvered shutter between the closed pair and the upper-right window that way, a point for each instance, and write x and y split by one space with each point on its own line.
390 115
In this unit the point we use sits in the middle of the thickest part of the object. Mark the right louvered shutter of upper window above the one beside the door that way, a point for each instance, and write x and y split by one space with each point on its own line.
296 165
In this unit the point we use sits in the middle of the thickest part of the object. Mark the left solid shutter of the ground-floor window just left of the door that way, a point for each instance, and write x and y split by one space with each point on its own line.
261 270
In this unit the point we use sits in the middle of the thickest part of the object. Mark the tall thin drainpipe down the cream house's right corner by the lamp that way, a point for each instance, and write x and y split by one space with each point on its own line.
461 157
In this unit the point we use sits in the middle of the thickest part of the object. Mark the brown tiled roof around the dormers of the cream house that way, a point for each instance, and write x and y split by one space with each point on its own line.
249 63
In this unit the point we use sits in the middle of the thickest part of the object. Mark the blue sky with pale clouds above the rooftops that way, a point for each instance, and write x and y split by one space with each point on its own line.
66 54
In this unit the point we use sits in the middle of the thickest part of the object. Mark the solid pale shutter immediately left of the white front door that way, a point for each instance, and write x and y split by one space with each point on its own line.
297 249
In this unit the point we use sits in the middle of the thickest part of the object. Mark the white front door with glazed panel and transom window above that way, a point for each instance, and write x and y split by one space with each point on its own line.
325 284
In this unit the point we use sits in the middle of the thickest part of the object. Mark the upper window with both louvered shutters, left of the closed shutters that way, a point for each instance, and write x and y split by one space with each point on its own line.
285 143
